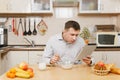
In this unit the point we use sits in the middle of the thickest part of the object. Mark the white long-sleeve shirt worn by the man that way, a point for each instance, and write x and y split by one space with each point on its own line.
56 45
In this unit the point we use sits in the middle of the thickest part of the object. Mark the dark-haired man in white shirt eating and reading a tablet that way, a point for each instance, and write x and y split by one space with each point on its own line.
66 45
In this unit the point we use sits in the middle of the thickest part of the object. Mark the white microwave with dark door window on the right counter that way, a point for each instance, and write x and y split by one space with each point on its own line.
107 39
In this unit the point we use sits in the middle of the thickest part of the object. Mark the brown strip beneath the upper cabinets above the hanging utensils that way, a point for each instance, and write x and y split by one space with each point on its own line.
25 14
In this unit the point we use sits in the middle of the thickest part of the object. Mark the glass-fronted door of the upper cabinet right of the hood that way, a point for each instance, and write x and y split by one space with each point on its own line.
89 6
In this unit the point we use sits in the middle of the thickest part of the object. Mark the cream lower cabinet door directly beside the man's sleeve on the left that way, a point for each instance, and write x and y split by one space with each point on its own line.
34 57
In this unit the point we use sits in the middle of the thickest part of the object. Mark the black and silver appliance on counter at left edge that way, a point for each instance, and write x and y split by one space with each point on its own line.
3 37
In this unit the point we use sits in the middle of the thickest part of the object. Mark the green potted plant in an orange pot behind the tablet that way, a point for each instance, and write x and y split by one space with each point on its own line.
85 34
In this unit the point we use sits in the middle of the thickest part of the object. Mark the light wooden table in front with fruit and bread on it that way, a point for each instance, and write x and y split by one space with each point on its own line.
78 72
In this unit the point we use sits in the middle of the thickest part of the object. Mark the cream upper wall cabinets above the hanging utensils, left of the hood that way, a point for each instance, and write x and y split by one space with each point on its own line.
26 6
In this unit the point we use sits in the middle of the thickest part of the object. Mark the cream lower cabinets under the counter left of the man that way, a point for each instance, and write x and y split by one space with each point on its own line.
15 57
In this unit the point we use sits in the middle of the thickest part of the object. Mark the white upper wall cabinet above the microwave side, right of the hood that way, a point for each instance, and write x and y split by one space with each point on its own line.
99 6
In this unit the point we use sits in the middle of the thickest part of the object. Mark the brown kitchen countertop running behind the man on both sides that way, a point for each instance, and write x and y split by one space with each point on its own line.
41 48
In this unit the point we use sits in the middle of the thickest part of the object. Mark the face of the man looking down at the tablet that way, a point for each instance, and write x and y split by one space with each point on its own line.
70 35
